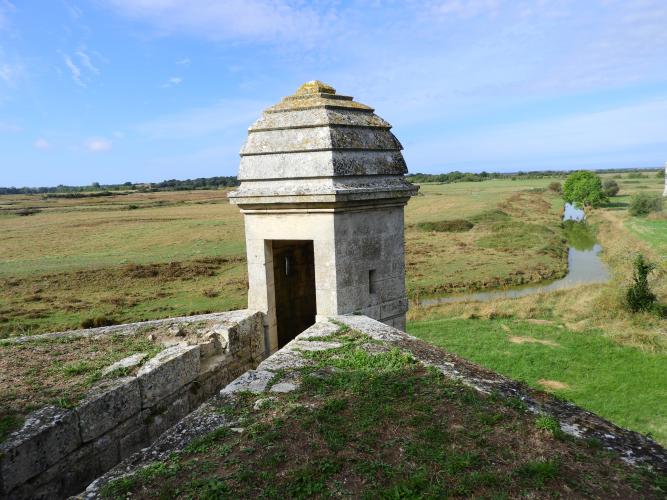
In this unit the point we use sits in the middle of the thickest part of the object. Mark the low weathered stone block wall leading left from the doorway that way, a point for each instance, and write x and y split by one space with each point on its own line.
59 451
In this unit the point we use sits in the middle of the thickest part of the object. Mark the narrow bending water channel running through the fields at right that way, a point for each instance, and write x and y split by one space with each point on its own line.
584 266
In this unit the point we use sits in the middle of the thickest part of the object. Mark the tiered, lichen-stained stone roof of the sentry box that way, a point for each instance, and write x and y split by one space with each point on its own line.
326 144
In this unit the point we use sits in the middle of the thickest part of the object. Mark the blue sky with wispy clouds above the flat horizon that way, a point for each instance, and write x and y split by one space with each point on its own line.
144 90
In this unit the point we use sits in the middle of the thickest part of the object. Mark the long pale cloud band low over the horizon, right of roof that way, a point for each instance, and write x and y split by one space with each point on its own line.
546 142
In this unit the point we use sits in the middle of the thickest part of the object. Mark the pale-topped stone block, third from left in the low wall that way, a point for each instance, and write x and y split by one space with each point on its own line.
167 372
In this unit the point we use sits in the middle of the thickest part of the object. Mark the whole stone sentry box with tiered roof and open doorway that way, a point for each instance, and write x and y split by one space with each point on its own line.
322 193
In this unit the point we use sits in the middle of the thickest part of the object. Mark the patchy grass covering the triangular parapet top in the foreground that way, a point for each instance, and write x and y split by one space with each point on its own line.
382 426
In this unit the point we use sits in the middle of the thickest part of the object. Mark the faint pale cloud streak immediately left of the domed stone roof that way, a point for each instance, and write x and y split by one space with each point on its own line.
223 116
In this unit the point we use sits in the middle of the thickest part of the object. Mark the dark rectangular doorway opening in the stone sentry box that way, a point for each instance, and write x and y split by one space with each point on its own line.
294 284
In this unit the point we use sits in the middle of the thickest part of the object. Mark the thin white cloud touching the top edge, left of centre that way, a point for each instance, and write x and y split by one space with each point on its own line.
265 20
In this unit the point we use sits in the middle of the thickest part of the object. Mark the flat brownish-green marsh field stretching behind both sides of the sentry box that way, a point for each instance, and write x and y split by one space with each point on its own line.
100 260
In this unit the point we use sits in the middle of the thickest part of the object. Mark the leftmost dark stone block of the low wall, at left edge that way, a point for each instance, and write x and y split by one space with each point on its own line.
47 436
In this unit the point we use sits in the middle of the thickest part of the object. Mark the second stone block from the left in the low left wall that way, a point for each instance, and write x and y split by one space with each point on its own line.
109 404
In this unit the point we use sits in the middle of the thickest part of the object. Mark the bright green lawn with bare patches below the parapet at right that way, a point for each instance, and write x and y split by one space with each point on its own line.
625 385
